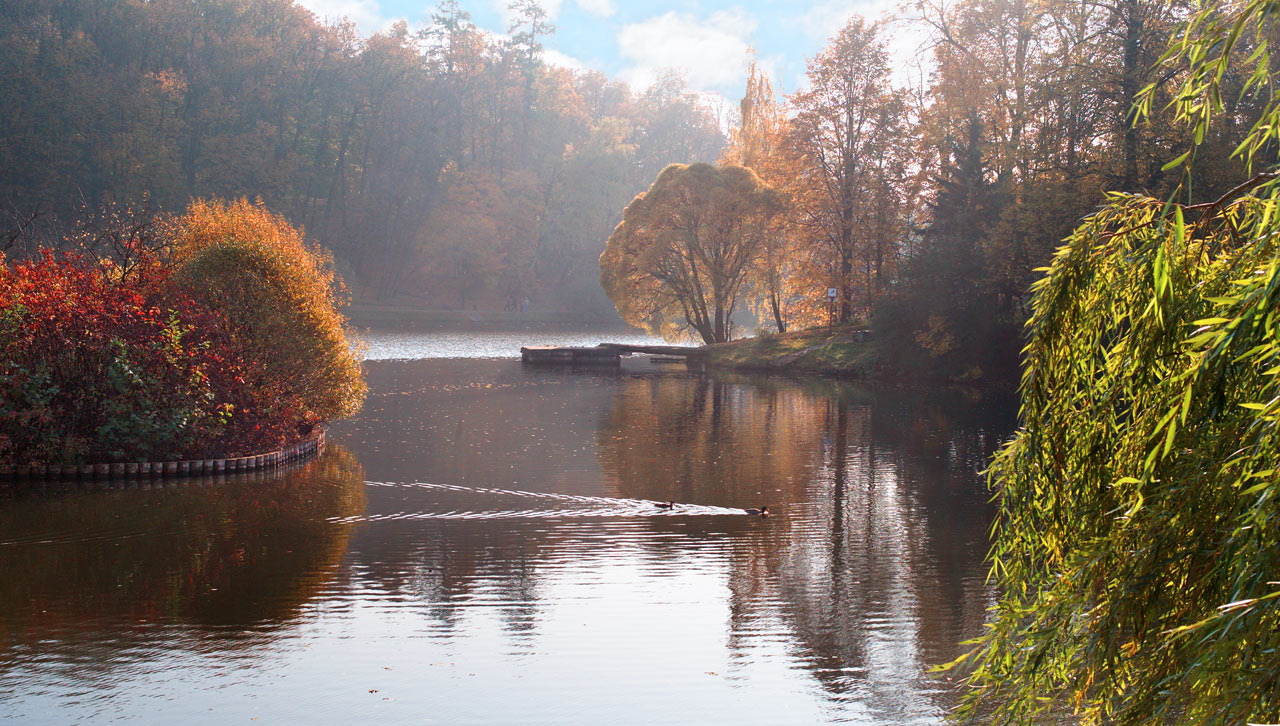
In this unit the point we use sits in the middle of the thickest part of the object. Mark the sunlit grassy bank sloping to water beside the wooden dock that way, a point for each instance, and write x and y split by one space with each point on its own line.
845 351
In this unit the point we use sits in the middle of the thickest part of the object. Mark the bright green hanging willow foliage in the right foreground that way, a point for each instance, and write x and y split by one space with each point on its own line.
1139 544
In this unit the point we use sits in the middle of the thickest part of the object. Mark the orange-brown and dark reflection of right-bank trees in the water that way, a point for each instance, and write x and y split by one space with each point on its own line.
875 565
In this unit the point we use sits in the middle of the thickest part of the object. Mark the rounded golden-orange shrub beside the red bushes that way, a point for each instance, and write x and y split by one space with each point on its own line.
277 299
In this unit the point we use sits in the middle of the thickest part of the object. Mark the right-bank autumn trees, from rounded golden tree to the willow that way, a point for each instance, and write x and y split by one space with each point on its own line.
930 207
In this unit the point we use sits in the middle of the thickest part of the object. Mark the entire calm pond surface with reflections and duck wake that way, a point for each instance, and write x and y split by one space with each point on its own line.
482 546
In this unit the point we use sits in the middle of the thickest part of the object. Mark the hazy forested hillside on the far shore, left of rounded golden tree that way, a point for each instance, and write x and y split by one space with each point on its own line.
445 167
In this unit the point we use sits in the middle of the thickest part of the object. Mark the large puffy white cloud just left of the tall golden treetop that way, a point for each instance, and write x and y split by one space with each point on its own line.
710 53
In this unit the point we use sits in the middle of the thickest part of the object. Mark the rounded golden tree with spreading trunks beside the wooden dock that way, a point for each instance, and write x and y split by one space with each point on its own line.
684 249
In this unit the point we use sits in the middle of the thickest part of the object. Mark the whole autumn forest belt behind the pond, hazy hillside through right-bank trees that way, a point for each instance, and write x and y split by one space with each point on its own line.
454 168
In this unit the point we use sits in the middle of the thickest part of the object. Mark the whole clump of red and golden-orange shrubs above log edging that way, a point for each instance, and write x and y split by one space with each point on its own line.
211 334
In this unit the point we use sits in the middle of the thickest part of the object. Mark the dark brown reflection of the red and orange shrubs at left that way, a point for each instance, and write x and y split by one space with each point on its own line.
222 554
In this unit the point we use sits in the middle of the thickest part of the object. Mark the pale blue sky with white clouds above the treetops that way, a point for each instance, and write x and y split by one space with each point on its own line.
707 42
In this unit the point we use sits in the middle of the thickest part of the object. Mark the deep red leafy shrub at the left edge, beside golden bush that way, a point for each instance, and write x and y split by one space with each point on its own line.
95 367
